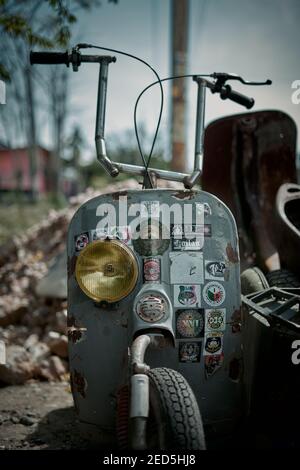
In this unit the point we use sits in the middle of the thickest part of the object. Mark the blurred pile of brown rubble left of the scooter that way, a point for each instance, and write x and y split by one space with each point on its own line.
32 327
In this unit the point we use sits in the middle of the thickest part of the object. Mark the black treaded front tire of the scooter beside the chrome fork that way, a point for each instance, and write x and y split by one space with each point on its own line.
176 412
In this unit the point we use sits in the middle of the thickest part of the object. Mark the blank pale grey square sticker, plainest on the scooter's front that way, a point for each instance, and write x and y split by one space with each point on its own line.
186 268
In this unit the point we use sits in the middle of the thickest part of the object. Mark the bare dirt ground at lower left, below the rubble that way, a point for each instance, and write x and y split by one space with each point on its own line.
37 416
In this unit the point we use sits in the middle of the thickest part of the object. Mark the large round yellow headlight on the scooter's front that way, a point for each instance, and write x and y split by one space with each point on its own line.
106 270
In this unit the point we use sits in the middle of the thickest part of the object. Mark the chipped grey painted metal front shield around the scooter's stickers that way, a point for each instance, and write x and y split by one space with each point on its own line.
101 335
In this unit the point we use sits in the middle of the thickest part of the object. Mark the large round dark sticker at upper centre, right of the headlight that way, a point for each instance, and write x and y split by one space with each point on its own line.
152 239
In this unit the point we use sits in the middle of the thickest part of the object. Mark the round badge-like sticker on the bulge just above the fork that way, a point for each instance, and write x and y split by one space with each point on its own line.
152 307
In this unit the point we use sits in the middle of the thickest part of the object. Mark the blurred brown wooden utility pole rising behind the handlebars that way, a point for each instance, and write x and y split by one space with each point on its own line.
179 22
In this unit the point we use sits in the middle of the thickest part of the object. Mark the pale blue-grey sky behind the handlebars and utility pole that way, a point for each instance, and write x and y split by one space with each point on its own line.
257 39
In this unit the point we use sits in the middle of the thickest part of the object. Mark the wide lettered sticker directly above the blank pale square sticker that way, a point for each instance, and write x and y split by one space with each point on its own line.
189 237
